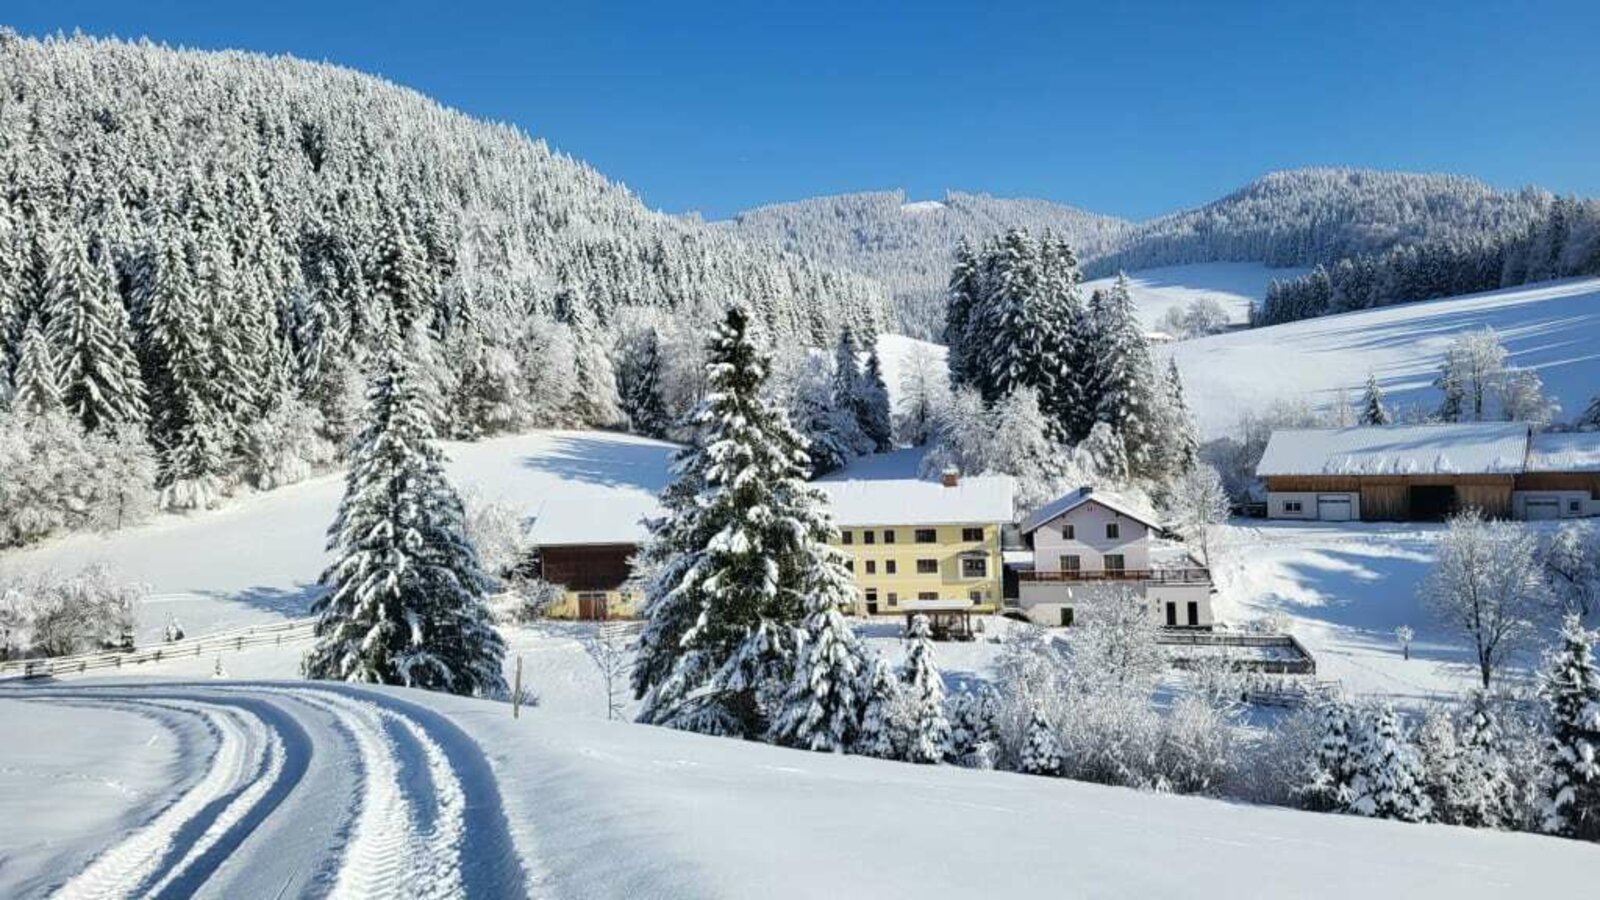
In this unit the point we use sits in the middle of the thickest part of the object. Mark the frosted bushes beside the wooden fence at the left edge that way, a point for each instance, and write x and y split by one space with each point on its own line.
54 614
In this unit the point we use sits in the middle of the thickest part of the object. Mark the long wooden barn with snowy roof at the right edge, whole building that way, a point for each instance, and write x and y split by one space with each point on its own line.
1430 472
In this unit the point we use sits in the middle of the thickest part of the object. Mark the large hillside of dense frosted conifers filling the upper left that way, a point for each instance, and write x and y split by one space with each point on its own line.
199 252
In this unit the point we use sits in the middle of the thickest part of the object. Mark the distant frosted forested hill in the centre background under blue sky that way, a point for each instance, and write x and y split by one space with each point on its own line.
910 247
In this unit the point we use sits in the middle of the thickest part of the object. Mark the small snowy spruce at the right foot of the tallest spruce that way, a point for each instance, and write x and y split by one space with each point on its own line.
822 709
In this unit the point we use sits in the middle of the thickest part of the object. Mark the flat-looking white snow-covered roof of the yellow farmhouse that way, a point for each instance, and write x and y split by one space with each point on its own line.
918 502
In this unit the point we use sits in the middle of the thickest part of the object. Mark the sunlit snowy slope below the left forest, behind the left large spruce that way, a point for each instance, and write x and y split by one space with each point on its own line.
258 558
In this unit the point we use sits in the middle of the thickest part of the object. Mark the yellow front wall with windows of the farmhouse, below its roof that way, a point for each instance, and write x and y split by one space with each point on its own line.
906 584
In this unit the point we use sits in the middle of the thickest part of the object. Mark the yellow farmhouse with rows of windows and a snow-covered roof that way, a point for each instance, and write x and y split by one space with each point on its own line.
922 540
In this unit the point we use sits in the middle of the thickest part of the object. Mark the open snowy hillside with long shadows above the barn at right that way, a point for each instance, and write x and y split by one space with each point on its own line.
1553 327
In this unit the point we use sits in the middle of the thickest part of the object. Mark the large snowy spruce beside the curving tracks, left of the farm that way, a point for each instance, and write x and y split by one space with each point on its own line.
406 598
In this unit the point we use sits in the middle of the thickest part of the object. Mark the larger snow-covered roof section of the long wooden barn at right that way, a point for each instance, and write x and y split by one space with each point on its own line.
1398 451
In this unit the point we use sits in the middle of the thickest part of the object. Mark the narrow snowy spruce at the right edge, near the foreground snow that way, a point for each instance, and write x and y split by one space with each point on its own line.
1572 688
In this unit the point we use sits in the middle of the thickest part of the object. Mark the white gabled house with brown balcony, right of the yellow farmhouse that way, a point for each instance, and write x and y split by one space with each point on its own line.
1094 547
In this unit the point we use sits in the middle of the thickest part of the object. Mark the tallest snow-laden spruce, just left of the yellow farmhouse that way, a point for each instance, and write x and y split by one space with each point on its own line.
737 558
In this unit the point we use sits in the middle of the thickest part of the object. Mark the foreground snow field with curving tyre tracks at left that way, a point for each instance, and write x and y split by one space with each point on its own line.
217 789
